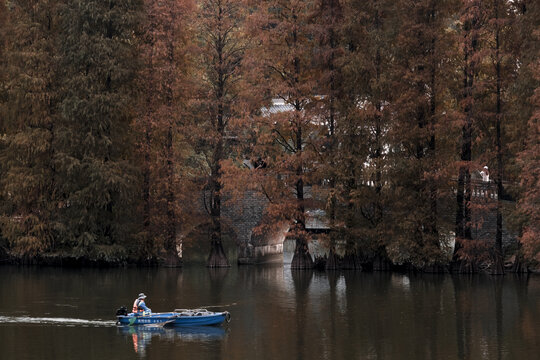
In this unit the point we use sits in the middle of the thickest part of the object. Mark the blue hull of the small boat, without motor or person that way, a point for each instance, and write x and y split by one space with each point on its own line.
173 319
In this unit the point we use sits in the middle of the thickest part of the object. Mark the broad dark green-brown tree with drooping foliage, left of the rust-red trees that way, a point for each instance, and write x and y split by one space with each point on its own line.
96 177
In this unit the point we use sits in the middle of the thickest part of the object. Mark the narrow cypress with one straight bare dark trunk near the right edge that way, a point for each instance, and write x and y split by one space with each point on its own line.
500 73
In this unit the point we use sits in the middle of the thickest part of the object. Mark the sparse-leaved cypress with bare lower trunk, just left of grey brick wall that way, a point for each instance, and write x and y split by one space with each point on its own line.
215 117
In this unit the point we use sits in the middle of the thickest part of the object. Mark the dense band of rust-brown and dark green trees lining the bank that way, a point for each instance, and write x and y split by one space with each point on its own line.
126 127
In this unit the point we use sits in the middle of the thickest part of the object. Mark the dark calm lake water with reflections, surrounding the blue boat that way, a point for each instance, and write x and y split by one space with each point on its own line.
52 313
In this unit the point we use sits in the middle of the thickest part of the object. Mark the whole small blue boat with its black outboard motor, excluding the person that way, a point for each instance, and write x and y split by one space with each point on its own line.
179 317
